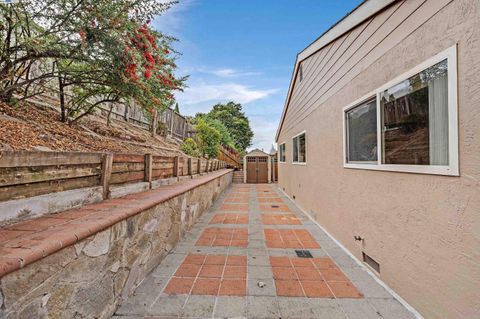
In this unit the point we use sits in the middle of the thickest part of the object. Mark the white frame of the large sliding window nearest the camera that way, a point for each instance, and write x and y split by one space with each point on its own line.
452 169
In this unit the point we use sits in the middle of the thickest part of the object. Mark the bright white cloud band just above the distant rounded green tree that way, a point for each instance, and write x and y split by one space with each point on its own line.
204 92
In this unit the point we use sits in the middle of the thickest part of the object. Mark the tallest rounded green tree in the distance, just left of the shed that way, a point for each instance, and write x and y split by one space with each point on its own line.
237 124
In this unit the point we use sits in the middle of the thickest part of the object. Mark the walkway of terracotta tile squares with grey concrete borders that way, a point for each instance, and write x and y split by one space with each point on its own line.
239 261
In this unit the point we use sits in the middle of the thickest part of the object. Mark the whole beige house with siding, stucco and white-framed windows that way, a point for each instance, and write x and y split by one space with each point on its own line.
379 142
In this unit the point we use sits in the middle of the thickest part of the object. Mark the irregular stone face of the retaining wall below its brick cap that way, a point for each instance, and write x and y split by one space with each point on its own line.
90 278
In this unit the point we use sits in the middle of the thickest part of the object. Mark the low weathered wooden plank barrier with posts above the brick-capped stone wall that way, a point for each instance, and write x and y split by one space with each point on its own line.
25 174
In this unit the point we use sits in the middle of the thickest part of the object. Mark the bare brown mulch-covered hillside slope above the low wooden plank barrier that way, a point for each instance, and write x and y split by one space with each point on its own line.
29 127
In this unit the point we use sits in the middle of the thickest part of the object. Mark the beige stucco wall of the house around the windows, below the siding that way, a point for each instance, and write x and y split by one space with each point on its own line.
424 230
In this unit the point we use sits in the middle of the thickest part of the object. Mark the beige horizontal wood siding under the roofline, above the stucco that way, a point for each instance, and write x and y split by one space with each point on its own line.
327 71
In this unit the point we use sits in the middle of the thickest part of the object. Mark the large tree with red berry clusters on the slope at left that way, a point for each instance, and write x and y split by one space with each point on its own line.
100 51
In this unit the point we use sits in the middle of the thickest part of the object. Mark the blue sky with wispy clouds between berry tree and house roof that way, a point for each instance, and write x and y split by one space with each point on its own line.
245 51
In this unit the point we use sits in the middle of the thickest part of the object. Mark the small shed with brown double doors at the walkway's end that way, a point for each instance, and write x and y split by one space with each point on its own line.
257 167
